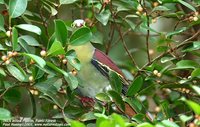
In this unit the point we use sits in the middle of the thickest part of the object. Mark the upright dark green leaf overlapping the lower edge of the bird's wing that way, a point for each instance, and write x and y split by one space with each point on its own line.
115 82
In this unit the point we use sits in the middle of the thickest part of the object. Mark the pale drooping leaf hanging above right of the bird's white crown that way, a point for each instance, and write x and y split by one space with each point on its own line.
103 16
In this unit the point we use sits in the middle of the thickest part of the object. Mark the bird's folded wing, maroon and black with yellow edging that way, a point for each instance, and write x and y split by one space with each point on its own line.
104 64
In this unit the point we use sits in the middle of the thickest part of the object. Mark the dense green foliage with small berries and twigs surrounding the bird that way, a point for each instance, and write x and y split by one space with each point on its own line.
34 40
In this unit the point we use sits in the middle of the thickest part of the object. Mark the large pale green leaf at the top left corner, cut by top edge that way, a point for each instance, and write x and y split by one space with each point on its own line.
17 7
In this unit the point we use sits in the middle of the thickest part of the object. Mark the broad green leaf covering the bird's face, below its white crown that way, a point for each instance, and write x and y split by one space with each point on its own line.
81 36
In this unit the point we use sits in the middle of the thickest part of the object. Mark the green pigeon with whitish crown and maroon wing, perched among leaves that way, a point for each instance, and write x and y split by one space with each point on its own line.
95 69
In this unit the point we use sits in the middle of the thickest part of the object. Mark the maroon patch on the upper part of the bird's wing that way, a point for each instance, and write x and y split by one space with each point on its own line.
105 60
